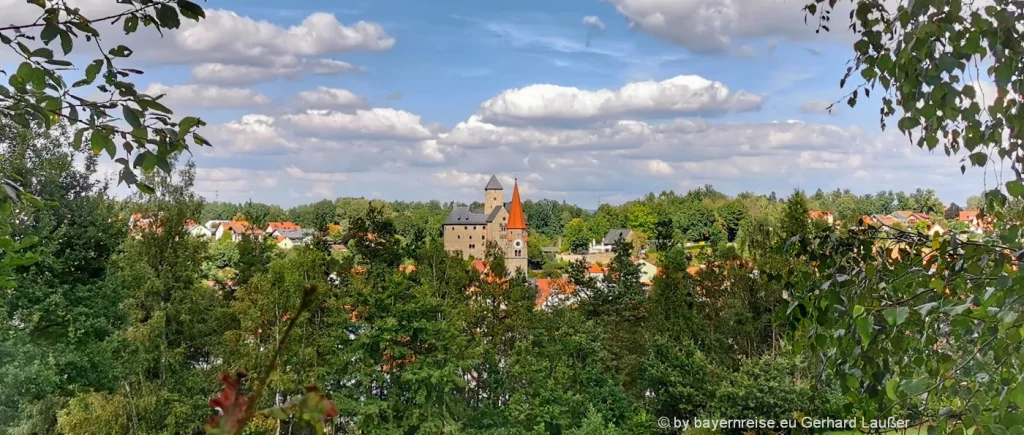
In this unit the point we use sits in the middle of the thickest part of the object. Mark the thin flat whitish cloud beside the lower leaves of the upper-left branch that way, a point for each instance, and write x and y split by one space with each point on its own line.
205 97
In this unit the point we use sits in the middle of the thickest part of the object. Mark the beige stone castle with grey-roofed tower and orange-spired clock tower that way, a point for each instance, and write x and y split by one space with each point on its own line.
504 224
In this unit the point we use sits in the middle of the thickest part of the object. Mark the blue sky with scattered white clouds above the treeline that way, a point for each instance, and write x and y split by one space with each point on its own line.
589 102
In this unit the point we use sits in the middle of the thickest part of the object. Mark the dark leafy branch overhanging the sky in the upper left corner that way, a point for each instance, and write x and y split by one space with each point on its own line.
39 95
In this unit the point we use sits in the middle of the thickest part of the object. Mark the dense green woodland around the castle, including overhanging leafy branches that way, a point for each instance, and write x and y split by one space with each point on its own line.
111 331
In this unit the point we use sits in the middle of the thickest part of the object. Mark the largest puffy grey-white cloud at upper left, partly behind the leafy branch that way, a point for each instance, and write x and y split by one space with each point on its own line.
234 49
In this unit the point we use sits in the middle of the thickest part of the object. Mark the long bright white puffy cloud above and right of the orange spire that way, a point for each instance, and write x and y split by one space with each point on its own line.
682 96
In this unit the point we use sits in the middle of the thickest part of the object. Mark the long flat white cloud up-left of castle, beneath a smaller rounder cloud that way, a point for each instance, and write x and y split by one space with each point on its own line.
370 124
